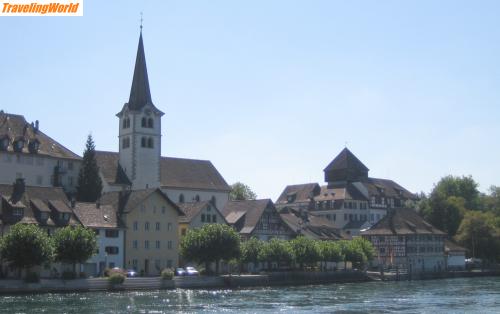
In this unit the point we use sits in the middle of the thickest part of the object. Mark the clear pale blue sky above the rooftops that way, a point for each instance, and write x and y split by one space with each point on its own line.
270 91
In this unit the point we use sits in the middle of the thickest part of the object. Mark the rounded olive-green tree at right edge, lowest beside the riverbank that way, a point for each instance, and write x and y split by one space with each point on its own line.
480 235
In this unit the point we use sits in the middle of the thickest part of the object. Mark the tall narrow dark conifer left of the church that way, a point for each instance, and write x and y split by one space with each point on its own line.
89 182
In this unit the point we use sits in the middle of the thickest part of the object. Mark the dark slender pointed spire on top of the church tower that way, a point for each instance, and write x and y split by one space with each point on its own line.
140 94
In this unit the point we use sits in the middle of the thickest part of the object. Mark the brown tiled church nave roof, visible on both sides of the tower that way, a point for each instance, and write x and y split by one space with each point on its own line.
179 173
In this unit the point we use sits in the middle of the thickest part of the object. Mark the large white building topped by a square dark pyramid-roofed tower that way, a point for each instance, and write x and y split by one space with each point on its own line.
351 199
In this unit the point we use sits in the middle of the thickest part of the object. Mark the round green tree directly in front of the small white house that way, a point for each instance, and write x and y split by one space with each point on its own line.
74 245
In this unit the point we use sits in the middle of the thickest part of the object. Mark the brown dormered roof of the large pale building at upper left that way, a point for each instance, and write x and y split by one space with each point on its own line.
15 126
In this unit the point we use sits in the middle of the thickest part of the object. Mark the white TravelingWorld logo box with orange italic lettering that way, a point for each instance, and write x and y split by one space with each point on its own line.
41 8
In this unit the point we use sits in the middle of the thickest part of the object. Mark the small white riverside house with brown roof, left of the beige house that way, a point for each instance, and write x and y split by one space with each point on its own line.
103 219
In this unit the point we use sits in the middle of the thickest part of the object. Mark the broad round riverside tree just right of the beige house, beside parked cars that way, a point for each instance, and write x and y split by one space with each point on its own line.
211 243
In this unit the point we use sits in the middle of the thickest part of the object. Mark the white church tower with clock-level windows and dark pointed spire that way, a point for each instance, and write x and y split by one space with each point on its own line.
140 130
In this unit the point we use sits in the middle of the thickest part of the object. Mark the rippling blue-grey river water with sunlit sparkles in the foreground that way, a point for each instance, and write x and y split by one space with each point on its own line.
480 295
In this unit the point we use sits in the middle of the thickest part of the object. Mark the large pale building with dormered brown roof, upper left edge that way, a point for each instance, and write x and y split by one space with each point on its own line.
26 152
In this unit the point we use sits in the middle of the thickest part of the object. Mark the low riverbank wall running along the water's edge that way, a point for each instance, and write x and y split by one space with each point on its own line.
10 286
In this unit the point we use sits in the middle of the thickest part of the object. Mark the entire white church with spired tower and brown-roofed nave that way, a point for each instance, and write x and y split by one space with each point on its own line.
139 165
